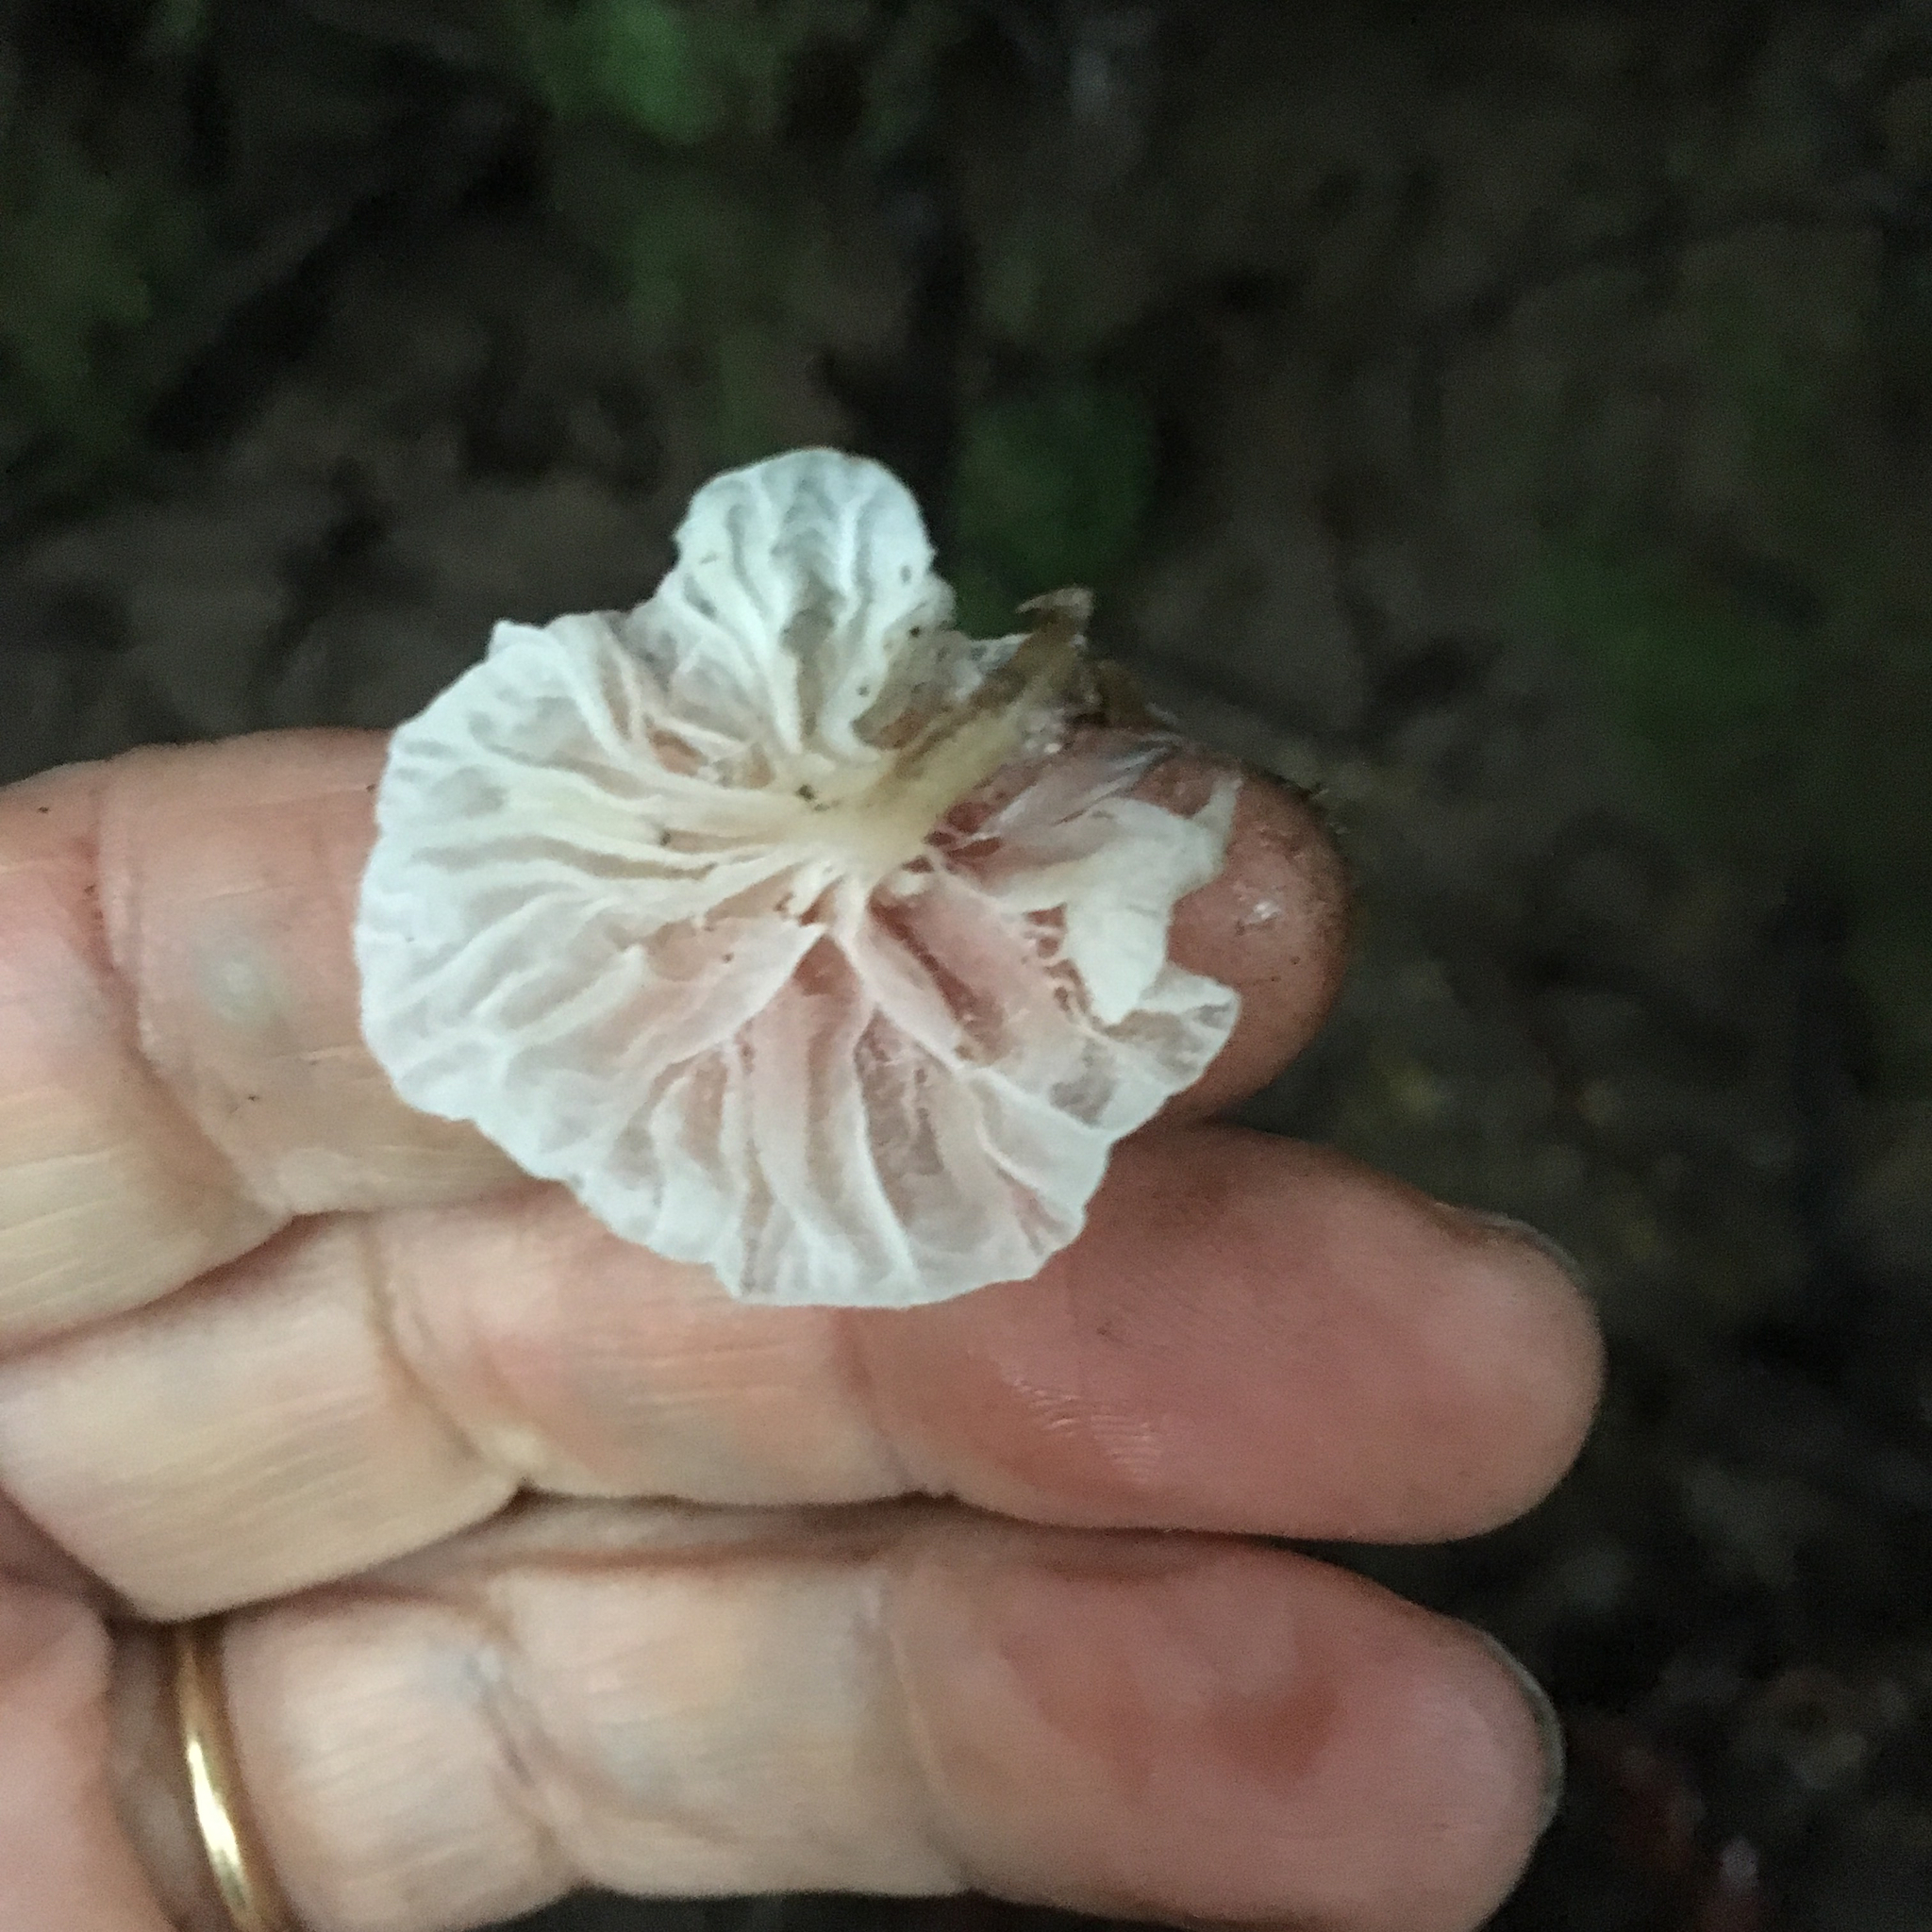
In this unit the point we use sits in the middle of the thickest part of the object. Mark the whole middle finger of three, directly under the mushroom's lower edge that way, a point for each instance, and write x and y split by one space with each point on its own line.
1251 1338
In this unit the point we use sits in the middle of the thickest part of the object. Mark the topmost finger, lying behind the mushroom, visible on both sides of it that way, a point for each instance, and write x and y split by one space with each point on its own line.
181 1056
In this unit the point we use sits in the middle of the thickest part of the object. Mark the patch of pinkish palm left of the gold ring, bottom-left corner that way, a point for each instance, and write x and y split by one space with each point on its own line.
65 1860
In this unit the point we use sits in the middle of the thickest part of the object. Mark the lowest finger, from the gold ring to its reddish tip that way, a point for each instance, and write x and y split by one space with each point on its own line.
1154 1728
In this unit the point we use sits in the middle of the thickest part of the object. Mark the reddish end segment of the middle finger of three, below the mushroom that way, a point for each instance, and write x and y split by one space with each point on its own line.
1255 1336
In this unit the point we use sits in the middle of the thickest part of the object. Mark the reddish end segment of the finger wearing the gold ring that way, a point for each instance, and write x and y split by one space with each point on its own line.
1139 1726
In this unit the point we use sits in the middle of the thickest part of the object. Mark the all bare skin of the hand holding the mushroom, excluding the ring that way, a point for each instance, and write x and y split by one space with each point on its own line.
550 1566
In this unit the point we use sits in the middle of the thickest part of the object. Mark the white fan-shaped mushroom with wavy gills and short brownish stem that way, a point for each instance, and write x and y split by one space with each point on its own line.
778 923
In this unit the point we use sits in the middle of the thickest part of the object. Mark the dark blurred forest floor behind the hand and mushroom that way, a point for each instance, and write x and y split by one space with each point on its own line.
1512 424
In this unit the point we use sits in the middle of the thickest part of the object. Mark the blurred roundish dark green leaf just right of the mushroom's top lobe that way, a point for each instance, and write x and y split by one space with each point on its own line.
1052 490
